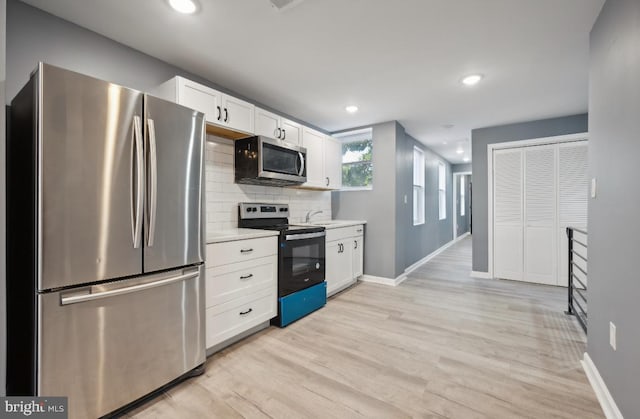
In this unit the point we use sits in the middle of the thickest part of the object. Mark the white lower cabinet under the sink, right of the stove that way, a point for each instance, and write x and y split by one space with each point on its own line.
344 253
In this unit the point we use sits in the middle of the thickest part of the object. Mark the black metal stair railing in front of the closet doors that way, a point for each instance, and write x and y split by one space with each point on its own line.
577 289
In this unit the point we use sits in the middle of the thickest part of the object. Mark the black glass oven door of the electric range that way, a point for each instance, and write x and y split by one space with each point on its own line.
302 264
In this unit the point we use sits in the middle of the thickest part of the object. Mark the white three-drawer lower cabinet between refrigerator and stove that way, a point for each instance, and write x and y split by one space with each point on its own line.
241 287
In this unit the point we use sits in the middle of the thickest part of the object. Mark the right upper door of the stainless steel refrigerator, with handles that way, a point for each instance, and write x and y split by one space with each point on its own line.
174 221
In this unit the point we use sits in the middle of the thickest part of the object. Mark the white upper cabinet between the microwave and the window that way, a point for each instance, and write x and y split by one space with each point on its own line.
324 160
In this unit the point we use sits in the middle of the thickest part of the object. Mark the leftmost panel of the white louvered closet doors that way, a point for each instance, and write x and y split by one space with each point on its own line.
507 214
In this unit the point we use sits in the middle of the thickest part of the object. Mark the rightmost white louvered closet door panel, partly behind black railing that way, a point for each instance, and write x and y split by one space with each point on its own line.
573 195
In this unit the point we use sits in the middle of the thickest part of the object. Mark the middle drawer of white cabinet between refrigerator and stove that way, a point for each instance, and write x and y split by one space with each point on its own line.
227 282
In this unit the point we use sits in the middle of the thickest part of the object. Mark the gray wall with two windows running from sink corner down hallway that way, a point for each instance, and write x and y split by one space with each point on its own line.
392 242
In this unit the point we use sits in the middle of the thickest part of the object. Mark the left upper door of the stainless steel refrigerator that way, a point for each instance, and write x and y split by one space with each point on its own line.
88 182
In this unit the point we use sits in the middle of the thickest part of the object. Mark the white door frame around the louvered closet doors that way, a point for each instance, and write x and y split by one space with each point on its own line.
515 144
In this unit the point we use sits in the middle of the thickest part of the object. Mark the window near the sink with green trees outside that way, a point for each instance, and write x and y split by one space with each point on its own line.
357 168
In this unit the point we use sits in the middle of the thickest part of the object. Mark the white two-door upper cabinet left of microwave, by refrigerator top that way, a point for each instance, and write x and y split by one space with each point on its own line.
219 108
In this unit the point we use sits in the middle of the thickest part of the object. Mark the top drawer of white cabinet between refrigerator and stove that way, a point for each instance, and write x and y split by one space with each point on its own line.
219 254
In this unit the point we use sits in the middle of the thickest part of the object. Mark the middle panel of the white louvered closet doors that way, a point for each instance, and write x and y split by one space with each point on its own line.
540 238
